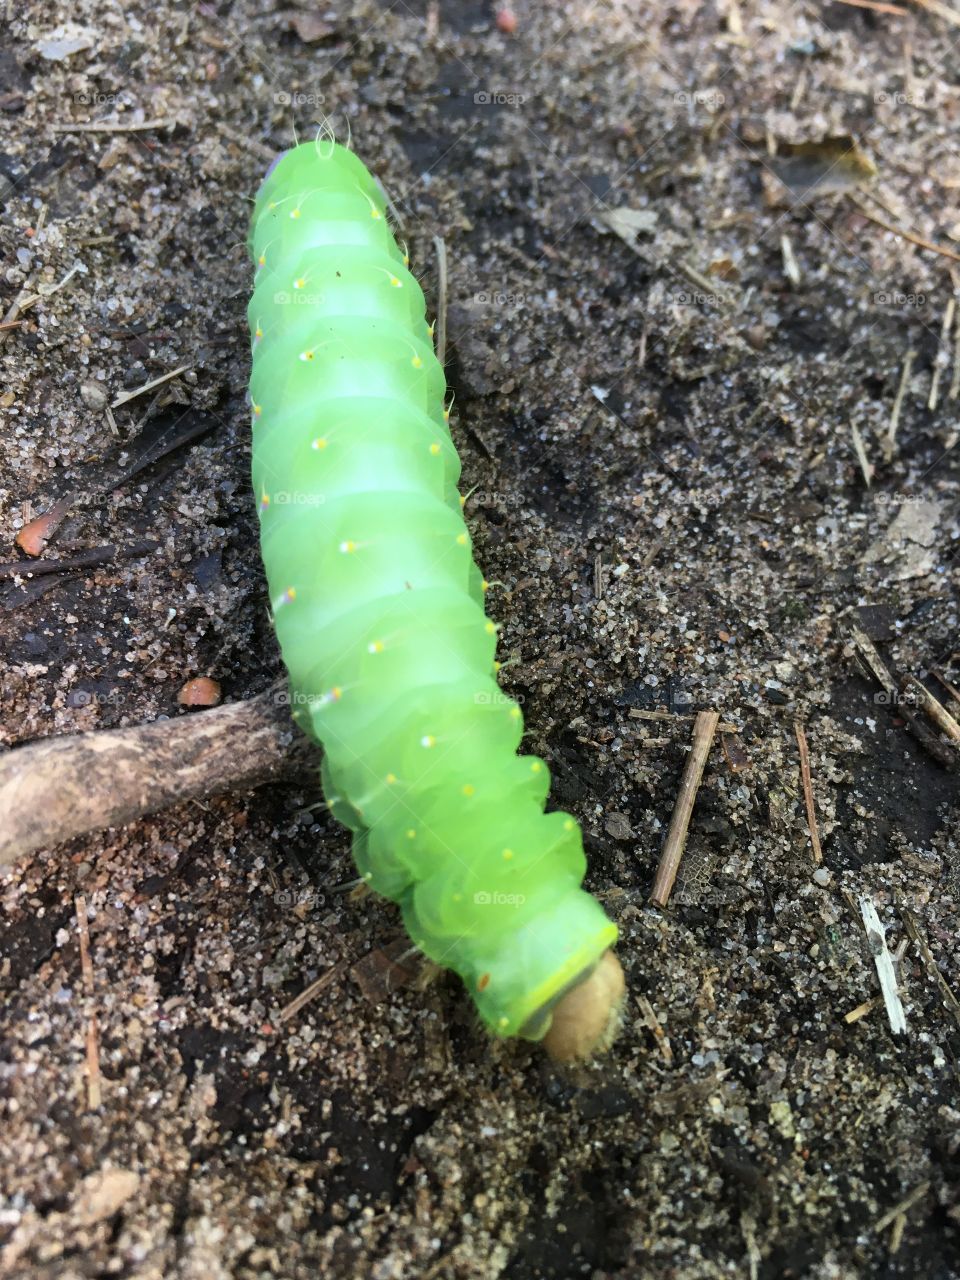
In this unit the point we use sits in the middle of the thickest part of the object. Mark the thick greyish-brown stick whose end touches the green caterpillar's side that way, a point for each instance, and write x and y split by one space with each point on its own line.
61 788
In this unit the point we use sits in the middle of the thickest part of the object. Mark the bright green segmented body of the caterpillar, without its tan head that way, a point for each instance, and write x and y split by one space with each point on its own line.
380 607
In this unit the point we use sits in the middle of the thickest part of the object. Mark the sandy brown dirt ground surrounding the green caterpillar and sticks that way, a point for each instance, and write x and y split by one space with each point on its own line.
670 424
